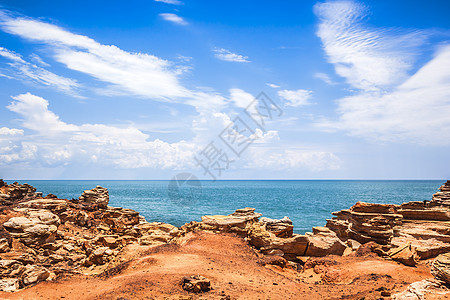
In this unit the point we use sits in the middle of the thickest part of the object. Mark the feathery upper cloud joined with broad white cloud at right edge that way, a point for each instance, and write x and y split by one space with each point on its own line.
391 105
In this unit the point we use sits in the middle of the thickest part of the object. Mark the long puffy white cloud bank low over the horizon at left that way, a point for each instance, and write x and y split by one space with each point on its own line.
57 142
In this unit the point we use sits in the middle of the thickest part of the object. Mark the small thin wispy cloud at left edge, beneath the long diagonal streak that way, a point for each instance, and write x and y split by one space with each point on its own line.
24 69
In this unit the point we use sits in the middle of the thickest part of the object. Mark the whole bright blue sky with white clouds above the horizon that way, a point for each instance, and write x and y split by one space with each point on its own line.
140 89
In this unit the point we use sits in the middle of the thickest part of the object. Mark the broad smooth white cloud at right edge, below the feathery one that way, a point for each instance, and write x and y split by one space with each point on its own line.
416 111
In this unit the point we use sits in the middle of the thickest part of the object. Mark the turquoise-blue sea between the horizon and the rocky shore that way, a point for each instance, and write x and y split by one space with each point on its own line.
307 202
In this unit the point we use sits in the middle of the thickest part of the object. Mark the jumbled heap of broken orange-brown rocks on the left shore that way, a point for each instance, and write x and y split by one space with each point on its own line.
41 238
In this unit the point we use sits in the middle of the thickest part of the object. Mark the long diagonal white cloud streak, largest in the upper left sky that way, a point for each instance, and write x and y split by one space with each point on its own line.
138 74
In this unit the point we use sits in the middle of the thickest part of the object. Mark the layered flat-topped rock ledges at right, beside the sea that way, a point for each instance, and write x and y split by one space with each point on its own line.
421 224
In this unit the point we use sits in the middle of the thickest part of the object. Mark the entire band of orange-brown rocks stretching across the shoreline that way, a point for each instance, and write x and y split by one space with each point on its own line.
42 238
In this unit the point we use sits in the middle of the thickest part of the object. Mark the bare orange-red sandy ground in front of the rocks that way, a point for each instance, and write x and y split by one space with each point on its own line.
234 271
